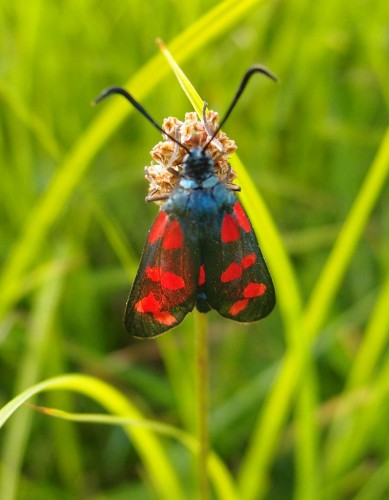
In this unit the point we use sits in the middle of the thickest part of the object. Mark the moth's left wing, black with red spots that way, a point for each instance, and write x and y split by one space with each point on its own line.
164 289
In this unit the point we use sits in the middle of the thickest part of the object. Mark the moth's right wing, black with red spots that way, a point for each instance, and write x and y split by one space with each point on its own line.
237 282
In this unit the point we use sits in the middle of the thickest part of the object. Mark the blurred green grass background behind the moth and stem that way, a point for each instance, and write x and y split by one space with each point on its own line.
73 224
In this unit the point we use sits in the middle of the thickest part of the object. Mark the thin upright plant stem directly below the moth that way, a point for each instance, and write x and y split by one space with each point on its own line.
201 375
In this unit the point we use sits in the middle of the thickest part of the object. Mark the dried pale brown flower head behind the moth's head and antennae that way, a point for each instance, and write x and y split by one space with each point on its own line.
168 157
